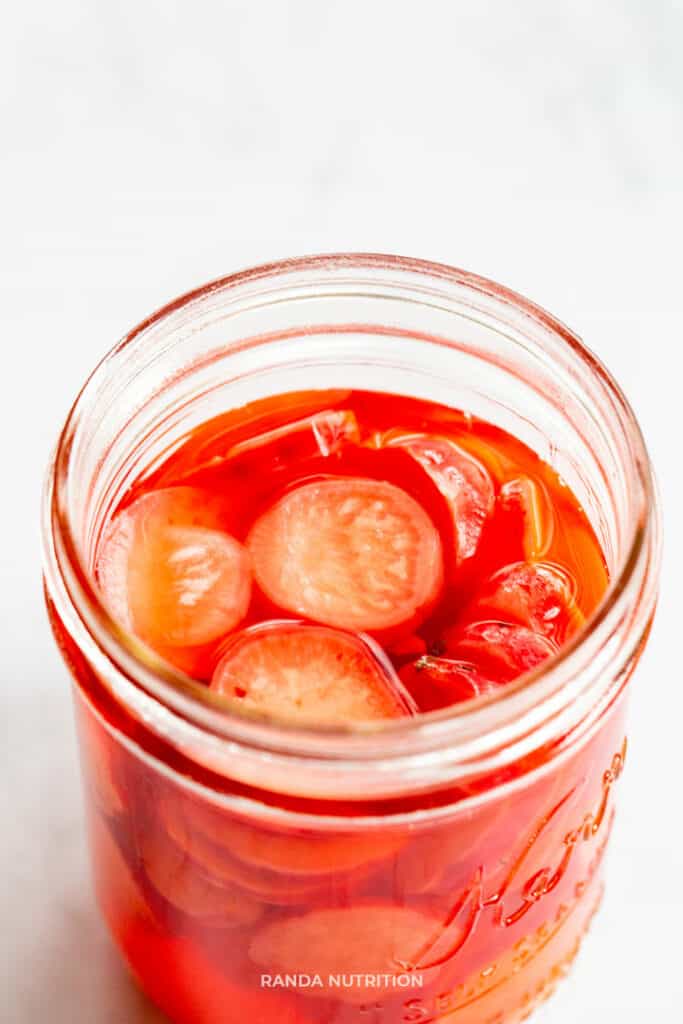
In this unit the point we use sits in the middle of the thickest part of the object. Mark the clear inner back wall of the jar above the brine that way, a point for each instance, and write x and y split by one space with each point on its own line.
225 350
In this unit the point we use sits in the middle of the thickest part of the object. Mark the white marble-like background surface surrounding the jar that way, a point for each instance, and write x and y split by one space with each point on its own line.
149 147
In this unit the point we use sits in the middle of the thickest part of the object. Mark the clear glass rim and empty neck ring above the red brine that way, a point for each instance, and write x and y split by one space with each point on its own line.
377 324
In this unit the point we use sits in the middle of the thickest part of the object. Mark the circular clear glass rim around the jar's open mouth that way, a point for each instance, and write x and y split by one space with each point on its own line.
505 716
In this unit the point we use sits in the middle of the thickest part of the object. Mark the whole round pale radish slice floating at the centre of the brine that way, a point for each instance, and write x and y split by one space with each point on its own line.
352 552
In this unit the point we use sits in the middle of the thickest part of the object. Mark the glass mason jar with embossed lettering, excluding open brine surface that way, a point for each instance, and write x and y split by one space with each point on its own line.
437 869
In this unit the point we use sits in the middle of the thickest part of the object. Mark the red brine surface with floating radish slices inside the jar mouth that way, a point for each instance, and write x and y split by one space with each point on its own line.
415 534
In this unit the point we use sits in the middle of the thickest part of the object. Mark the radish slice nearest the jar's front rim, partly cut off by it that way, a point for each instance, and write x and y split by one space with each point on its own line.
310 674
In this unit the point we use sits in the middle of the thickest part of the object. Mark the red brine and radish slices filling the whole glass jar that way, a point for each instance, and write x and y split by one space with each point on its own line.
348 585
